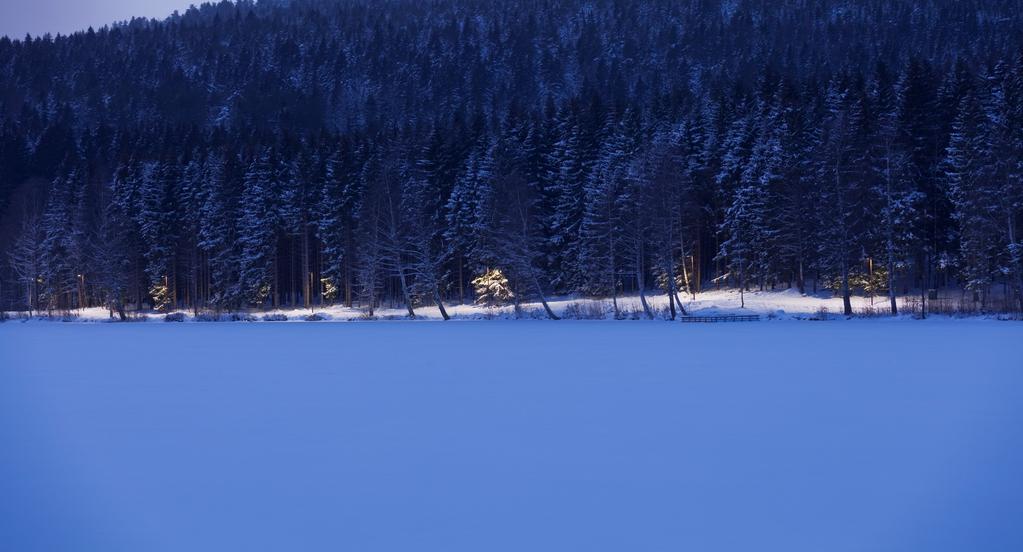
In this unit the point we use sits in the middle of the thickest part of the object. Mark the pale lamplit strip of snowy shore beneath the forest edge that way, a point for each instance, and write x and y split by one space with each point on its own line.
779 305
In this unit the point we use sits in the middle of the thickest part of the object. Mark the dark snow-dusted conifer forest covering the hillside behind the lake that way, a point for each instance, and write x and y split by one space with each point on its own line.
314 152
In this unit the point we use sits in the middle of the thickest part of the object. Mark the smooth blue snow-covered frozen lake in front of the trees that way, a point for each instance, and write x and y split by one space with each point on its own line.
515 436
